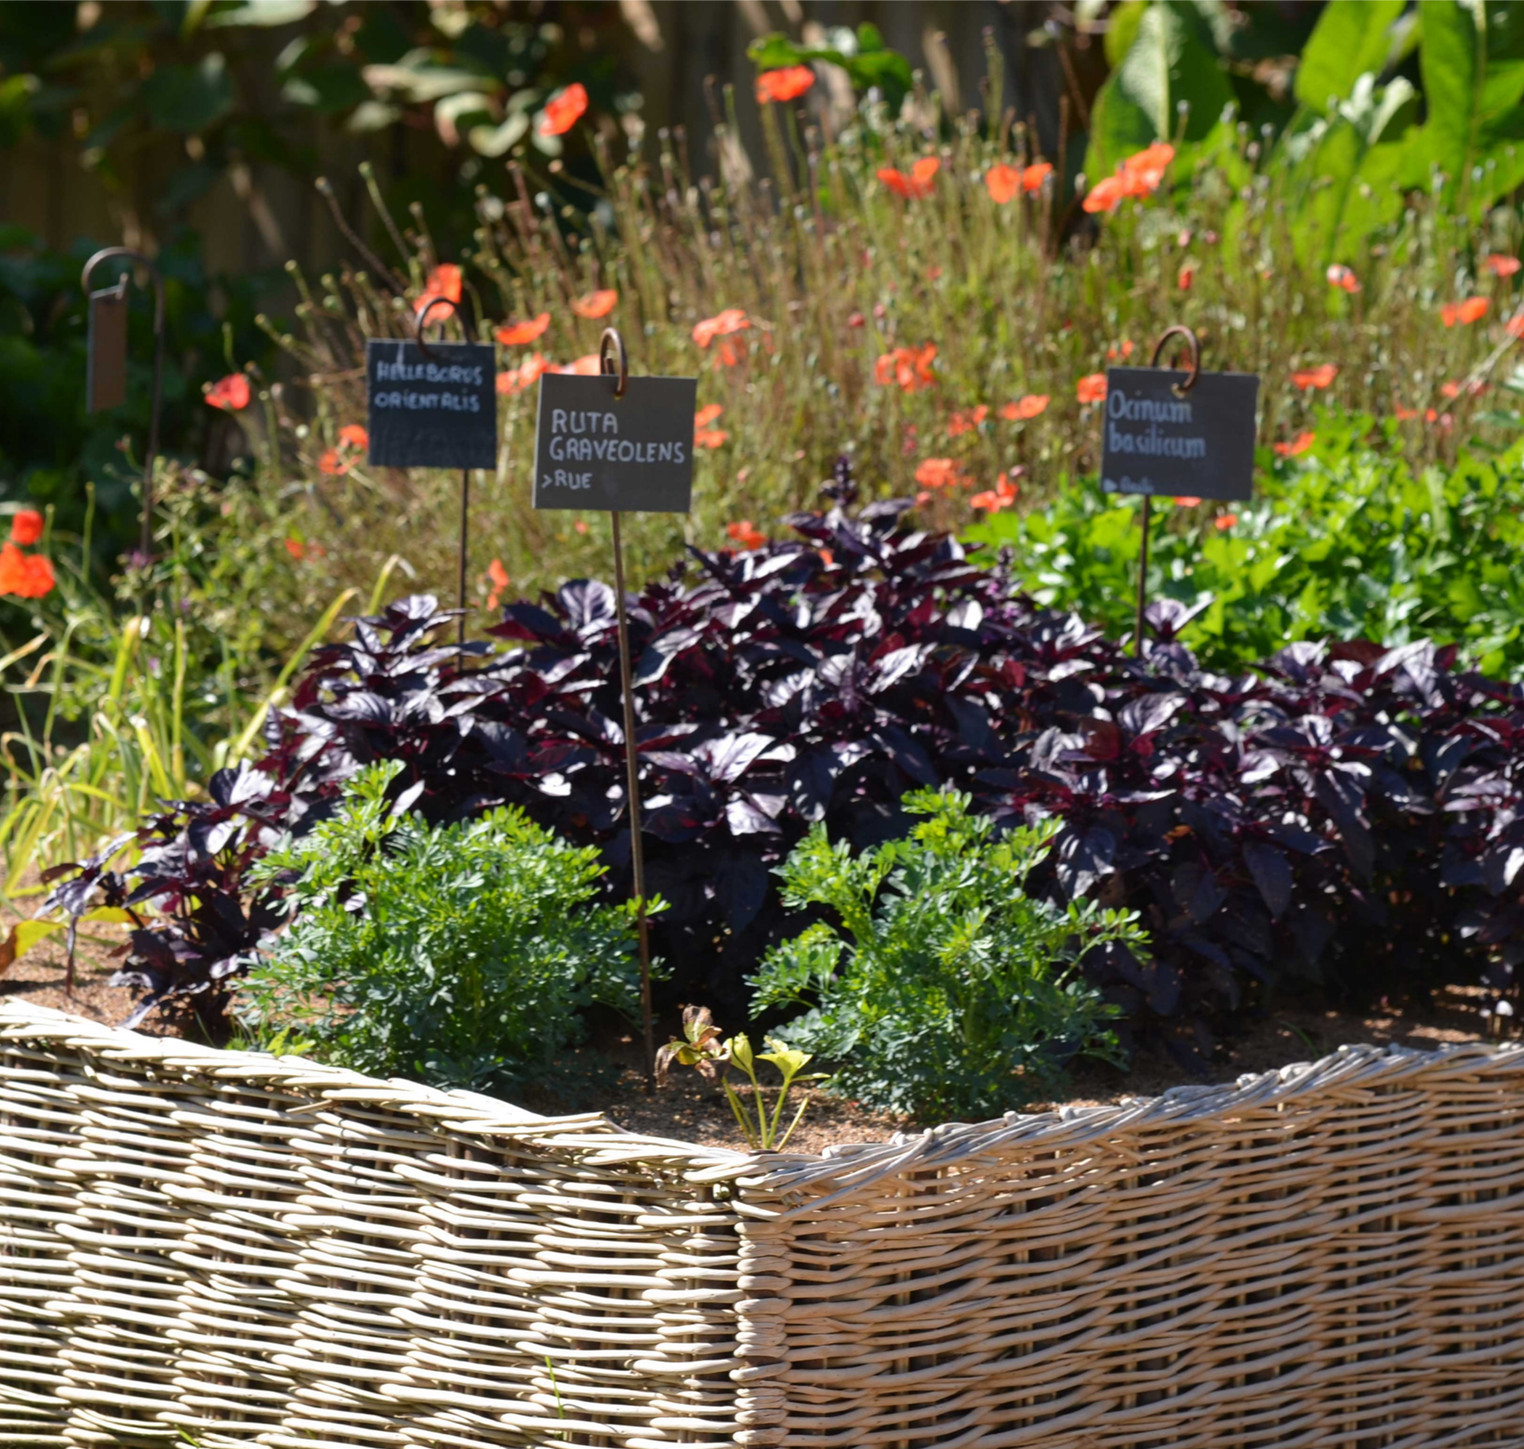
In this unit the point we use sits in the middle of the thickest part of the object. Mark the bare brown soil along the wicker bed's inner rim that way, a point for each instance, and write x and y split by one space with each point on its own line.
609 1075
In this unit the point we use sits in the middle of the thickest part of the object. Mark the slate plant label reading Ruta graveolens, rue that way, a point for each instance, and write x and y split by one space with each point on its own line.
620 455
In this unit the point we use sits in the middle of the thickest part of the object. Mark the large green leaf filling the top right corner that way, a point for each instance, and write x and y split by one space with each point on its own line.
1473 60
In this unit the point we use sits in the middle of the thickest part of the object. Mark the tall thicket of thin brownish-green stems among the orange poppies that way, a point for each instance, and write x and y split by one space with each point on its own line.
834 272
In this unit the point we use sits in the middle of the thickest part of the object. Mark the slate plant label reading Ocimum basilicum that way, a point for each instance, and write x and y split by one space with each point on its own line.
1199 444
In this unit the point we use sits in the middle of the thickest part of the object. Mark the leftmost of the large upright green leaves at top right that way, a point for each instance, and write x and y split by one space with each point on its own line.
1173 60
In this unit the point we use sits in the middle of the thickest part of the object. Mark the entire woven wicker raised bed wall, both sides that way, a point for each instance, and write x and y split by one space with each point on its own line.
261 1252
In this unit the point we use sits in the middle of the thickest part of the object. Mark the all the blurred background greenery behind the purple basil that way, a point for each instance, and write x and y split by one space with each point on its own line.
1378 136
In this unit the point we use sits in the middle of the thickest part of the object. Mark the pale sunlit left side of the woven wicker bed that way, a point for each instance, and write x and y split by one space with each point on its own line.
258 1252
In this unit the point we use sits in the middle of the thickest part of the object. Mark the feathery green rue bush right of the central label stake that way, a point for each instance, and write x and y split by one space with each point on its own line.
938 988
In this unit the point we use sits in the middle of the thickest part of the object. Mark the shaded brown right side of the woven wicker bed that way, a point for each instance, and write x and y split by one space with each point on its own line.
1327 1256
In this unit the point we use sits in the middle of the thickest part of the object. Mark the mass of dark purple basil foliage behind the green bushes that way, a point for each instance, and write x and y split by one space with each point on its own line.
1345 814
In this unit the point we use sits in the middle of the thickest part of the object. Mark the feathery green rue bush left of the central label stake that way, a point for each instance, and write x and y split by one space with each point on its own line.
461 956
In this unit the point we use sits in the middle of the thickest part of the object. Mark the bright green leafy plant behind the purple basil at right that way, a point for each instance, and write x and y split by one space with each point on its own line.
1343 542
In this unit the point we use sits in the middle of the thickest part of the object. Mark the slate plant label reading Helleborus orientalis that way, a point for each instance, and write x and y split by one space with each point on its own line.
435 409
